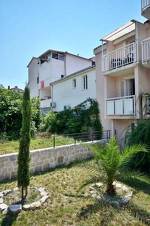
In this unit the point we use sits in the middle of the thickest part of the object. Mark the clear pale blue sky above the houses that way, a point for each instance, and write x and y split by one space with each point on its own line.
30 27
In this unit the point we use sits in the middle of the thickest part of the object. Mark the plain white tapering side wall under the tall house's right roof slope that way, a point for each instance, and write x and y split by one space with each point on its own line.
74 64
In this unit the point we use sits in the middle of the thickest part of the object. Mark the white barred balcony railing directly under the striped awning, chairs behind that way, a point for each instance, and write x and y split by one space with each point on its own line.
120 57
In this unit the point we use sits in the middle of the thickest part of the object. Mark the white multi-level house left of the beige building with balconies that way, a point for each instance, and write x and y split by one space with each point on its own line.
57 65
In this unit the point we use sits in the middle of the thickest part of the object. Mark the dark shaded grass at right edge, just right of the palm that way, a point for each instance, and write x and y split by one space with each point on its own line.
138 184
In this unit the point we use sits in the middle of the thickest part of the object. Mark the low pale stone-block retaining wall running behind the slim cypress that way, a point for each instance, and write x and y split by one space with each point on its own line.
44 159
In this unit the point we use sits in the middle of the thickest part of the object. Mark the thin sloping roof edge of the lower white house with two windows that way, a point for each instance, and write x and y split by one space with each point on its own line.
73 74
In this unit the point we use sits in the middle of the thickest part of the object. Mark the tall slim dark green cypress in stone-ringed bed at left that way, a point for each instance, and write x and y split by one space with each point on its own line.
24 155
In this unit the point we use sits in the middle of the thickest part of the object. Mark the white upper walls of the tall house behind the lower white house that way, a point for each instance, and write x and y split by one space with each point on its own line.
52 70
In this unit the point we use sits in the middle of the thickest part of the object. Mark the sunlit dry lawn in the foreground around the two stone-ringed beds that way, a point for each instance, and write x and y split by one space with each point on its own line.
64 208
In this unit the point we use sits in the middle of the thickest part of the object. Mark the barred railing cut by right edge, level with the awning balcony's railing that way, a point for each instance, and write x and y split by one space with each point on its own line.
146 51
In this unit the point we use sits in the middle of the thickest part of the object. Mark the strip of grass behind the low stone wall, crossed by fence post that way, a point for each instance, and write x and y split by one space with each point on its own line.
12 146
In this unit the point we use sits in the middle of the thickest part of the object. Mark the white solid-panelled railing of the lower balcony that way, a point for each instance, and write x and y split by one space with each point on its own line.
120 106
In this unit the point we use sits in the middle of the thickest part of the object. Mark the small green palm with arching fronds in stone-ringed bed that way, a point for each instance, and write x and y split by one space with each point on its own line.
111 163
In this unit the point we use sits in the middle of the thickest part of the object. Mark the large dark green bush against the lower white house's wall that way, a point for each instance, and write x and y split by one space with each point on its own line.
83 118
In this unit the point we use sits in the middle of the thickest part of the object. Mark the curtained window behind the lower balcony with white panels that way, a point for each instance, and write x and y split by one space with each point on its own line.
128 87
